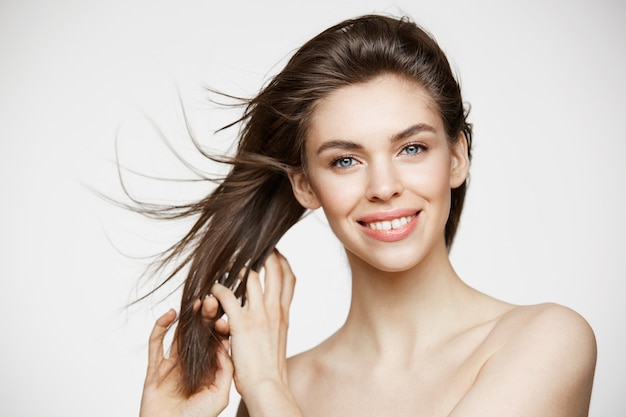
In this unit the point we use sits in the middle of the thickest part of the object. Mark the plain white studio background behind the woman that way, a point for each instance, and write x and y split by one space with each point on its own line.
544 218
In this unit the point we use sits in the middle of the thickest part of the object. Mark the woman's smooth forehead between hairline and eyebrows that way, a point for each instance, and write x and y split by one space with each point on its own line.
381 106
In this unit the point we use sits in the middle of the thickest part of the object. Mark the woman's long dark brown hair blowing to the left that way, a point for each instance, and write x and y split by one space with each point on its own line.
242 220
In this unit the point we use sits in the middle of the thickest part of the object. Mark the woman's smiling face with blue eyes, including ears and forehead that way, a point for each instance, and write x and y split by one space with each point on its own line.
379 164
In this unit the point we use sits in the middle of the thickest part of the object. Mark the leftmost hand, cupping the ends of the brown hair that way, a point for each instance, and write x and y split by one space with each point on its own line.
161 394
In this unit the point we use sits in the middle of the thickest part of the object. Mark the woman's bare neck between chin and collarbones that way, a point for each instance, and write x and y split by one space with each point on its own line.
396 314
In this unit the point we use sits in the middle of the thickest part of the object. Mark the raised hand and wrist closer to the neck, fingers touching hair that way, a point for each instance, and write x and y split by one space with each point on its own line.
258 333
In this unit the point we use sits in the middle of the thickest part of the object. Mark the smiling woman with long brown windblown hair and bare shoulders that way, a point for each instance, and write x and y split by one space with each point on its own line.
367 122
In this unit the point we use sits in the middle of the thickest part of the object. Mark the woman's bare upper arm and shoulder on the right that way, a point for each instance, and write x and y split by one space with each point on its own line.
544 369
